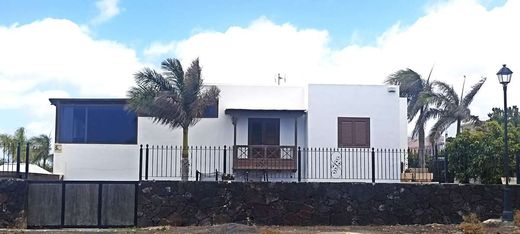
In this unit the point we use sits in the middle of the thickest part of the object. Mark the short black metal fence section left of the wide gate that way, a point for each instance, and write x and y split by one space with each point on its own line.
13 157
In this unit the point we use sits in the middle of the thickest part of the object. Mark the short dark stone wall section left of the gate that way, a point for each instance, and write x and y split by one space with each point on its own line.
13 198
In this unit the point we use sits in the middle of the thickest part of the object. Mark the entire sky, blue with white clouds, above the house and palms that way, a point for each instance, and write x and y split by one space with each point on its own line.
80 48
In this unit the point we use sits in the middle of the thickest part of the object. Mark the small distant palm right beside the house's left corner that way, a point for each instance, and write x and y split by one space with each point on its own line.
40 151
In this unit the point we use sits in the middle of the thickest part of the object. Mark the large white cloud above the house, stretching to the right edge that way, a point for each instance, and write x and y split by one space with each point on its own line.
459 37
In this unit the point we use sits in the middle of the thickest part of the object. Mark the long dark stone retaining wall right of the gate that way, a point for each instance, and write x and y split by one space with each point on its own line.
204 203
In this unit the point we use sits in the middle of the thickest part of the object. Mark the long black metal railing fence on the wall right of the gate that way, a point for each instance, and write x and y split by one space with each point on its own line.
294 164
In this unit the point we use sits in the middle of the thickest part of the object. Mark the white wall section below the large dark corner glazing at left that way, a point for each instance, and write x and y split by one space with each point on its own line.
97 162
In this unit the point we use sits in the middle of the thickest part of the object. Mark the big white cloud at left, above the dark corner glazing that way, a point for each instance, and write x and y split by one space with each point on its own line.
56 58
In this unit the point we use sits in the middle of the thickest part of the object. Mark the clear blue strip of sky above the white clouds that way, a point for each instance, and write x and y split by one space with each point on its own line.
141 23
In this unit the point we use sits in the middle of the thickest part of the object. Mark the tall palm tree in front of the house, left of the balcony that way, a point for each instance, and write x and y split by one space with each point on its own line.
173 98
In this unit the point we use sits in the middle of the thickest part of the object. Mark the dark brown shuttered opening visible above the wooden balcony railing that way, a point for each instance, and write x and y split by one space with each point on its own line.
264 131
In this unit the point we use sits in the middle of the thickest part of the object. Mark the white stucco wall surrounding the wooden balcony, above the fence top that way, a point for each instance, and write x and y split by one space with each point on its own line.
219 131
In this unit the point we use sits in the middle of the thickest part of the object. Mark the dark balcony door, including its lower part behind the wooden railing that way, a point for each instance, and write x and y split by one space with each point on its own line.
263 134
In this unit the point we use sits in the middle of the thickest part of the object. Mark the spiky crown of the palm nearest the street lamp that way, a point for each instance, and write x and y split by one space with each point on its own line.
452 108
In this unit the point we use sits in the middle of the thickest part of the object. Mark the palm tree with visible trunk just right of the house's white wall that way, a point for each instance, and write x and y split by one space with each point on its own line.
418 92
